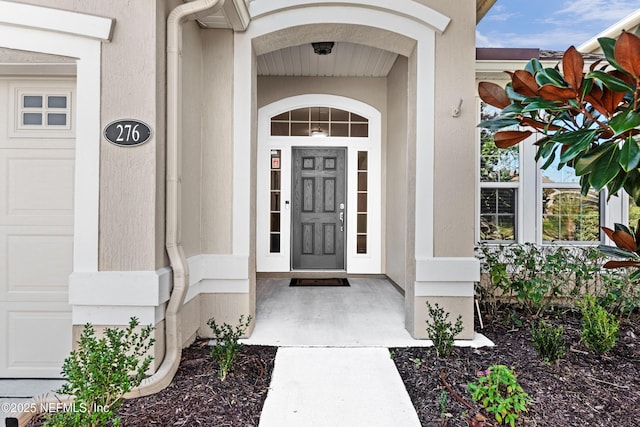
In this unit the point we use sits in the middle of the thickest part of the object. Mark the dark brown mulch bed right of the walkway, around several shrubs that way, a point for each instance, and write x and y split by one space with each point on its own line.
582 389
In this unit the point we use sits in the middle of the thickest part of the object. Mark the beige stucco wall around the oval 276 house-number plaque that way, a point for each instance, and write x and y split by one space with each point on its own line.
133 73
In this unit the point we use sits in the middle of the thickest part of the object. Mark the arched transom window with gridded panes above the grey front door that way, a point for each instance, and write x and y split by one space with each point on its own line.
319 121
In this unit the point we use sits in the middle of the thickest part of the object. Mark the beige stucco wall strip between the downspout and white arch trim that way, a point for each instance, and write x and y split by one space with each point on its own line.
207 141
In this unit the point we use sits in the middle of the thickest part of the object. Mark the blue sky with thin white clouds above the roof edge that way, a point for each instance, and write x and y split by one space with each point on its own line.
549 24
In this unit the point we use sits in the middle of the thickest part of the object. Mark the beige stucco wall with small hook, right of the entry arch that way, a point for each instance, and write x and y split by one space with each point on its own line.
455 168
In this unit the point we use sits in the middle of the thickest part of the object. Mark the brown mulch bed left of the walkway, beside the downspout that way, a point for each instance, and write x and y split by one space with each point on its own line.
197 397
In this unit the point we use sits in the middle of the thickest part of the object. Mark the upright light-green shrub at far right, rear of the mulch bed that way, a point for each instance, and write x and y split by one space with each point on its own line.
599 328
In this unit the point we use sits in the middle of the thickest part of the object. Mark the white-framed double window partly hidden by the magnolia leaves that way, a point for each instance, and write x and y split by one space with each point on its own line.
562 213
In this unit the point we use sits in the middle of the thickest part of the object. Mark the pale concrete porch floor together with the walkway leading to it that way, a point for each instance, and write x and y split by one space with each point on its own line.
333 366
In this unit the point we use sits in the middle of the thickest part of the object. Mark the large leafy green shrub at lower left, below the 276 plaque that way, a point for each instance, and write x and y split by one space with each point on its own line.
100 372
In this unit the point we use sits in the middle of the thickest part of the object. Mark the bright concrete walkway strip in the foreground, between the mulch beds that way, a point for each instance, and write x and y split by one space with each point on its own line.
332 387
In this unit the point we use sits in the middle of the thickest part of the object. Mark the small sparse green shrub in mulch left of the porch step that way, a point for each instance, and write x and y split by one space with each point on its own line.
226 348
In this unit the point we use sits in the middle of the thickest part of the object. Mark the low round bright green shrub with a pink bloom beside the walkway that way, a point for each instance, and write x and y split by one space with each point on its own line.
497 389
